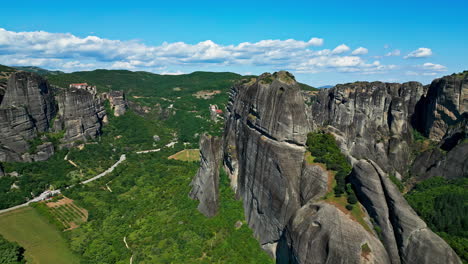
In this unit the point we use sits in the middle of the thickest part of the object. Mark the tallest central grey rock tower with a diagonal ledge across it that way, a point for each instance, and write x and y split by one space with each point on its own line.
264 150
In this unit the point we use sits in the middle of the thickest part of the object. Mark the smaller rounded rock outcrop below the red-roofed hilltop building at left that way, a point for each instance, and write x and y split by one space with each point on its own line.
80 114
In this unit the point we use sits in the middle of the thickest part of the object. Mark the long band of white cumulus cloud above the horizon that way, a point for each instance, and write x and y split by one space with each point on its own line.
68 52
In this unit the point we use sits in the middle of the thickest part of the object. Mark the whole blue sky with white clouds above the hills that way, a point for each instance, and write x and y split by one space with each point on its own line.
321 42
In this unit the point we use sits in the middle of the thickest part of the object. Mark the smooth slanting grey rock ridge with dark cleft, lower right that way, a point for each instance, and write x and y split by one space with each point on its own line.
405 236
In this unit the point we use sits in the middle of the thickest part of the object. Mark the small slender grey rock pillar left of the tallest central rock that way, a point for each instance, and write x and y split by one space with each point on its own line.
205 185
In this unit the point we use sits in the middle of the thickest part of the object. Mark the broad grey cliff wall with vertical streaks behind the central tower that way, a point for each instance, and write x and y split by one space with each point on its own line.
374 119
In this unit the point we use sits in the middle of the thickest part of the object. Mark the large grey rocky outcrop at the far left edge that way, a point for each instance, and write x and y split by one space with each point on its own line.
26 109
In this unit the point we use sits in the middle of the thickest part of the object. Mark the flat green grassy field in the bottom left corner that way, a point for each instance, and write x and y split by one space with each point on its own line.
42 241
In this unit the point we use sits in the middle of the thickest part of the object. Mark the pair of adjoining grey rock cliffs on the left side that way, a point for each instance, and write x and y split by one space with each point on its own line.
29 107
